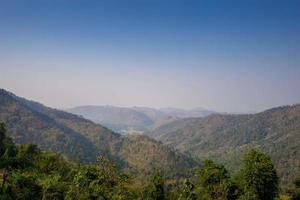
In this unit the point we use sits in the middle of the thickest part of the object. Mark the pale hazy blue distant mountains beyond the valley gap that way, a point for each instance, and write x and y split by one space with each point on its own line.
134 119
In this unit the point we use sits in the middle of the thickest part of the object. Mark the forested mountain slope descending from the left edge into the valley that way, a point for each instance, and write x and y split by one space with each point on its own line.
51 129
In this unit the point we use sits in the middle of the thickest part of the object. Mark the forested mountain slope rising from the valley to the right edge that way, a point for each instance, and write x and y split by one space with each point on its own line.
225 137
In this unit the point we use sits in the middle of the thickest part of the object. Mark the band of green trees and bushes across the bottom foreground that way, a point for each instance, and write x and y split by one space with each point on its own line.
28 173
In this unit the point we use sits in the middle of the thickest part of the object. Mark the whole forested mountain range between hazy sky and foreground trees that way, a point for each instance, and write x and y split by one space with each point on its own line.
173 143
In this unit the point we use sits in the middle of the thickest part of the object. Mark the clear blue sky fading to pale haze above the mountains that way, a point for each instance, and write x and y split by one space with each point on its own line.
228 56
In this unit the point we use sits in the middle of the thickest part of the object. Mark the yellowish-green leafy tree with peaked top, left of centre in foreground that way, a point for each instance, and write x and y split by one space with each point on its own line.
102 181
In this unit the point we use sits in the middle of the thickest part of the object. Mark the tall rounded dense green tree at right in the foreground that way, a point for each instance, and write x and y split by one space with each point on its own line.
258 176
